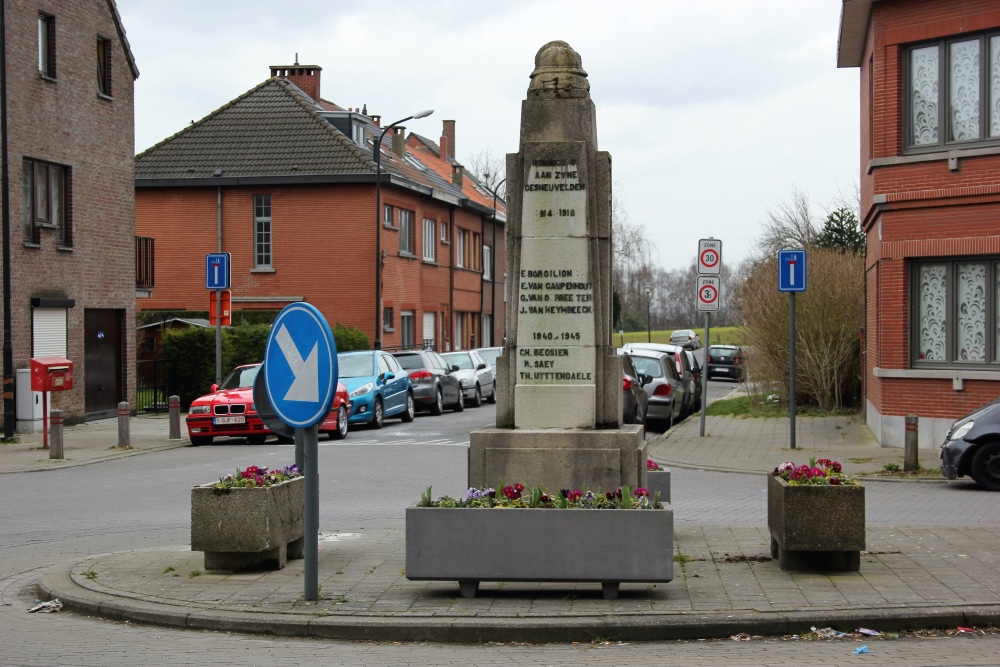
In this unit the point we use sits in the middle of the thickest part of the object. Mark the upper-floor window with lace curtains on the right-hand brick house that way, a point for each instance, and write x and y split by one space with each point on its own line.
952 89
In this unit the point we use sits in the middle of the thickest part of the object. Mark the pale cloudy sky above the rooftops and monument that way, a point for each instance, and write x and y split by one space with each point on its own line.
712 112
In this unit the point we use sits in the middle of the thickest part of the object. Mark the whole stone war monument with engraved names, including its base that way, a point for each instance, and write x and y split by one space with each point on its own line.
559 379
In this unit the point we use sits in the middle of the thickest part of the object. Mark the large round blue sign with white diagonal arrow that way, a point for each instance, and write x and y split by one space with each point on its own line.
300 365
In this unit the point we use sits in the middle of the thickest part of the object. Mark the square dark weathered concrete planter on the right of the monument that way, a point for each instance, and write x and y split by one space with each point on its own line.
816 527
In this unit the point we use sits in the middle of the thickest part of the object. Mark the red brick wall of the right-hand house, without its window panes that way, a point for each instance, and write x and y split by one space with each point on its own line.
918 205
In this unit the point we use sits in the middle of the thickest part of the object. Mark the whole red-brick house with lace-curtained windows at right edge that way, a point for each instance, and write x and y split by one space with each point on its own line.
930 206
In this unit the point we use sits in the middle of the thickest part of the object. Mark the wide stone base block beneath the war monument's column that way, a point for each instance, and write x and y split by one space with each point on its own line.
600 460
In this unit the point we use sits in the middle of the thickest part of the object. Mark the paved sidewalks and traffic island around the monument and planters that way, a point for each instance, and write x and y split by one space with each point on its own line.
724 584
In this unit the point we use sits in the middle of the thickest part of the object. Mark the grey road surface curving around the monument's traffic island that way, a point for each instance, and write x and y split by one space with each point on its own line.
366 481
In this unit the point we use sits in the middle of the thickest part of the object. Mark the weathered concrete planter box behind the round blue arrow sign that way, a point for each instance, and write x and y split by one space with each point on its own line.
248 528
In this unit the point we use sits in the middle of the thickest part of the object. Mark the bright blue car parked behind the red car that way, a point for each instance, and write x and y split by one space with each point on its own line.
378 387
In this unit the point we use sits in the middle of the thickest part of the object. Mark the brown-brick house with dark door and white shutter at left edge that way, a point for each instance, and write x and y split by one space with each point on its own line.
71 148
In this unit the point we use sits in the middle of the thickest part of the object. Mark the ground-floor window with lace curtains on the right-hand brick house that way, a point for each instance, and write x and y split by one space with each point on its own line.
956 307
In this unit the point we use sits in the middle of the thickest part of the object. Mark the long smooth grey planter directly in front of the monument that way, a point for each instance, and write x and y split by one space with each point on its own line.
473 545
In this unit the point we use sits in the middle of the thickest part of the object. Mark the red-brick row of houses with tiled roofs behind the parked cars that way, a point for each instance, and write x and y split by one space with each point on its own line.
285 181
